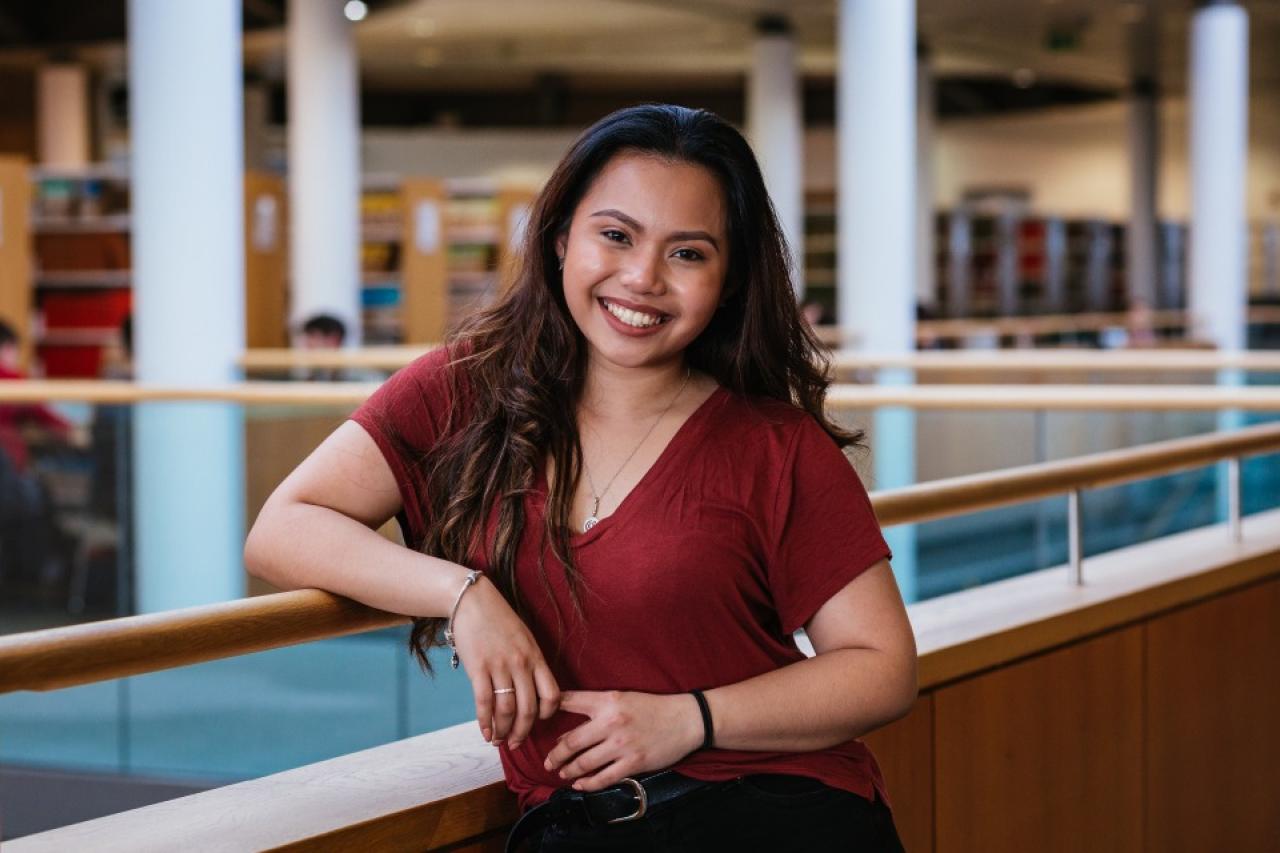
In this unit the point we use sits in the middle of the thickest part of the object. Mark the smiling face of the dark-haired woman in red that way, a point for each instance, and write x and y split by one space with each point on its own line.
646 259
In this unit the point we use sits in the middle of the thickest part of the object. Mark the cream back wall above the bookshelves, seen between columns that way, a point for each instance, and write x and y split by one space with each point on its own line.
1073 161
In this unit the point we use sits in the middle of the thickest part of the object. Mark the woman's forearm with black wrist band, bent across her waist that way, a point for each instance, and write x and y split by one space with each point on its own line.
816 704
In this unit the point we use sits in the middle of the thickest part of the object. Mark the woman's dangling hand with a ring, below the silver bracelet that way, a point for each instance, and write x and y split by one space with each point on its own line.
500 651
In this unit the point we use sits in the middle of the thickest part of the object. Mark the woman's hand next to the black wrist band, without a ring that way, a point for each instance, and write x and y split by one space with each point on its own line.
628 735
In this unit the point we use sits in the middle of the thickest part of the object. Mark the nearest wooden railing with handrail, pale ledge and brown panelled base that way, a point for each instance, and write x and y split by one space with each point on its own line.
993 663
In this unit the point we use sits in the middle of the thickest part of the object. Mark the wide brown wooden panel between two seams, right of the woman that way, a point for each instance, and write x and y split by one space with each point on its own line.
1045 755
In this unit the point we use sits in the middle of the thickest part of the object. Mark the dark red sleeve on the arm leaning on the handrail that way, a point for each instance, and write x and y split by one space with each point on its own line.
406 417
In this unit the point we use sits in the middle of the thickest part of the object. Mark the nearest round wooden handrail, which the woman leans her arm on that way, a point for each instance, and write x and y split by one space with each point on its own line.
115 649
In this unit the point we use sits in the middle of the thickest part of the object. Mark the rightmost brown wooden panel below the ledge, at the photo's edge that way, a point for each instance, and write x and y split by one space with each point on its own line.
1214 726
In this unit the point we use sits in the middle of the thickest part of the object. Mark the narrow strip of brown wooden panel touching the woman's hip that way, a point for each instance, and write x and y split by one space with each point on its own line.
904 751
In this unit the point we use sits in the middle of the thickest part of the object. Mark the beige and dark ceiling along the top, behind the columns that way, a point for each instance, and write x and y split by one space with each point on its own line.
491 45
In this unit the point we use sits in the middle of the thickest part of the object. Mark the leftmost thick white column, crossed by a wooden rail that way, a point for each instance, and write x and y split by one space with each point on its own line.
189 277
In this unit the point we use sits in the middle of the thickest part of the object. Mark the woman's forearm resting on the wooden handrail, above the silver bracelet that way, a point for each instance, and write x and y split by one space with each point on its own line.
299 545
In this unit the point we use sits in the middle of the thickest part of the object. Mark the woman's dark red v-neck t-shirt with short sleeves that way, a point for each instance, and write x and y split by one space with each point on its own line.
748 523
